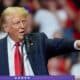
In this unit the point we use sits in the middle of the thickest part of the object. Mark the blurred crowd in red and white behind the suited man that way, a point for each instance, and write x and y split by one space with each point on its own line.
57 19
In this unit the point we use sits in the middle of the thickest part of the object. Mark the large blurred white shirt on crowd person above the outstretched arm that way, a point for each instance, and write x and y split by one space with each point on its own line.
47 21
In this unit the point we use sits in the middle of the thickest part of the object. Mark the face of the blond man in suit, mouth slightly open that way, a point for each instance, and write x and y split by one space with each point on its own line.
15 26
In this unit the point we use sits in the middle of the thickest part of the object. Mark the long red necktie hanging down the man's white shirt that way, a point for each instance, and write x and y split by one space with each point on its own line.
19 69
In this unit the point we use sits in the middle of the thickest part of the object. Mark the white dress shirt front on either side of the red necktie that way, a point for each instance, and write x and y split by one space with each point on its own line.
27 66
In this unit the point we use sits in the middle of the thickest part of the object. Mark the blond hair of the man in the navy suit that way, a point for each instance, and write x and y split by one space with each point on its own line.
12 10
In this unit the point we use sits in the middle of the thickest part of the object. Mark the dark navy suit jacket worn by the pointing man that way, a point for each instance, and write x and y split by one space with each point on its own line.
39 50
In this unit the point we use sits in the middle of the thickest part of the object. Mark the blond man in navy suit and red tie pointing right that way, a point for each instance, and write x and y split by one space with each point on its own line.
27 55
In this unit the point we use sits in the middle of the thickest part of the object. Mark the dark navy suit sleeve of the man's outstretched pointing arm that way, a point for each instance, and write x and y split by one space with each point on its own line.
56 47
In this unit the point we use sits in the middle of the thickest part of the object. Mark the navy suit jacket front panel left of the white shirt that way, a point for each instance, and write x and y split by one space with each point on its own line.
4 68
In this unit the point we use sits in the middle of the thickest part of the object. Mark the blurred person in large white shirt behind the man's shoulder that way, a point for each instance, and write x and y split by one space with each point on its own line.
46 19
